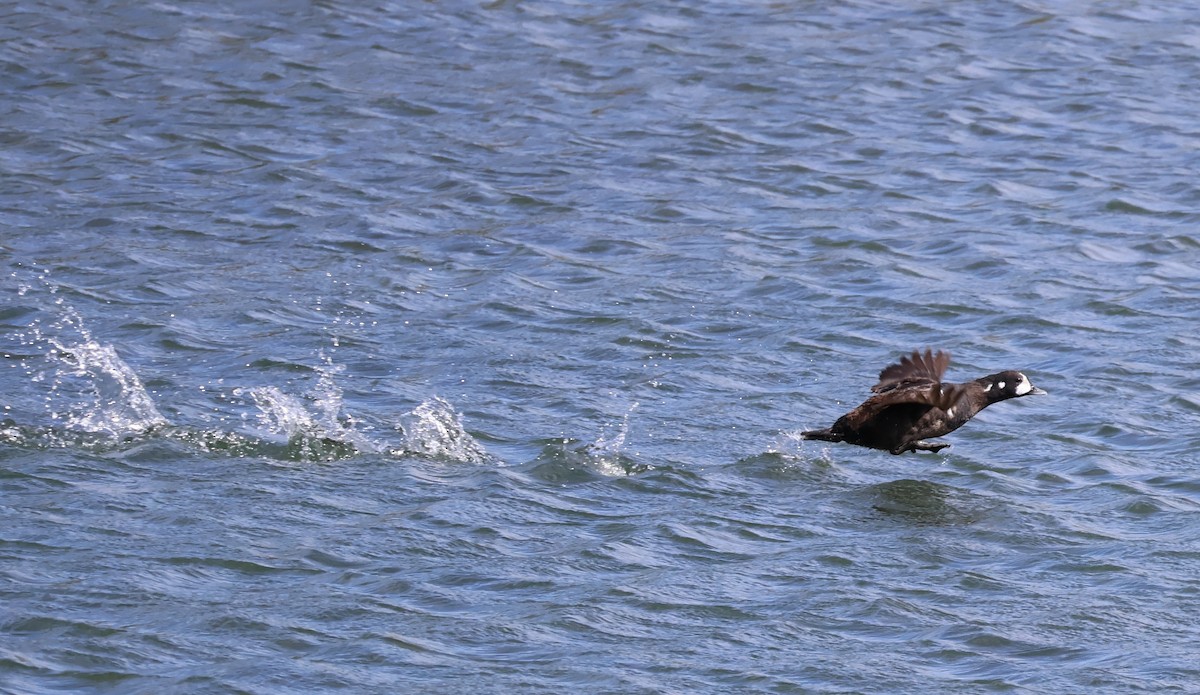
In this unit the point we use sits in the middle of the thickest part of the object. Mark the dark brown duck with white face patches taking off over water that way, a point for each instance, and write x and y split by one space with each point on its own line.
913 404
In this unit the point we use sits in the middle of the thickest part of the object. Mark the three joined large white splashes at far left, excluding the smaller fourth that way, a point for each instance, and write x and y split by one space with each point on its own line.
95 400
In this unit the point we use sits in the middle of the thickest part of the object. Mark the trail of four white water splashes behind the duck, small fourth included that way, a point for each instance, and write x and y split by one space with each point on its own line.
94 400
